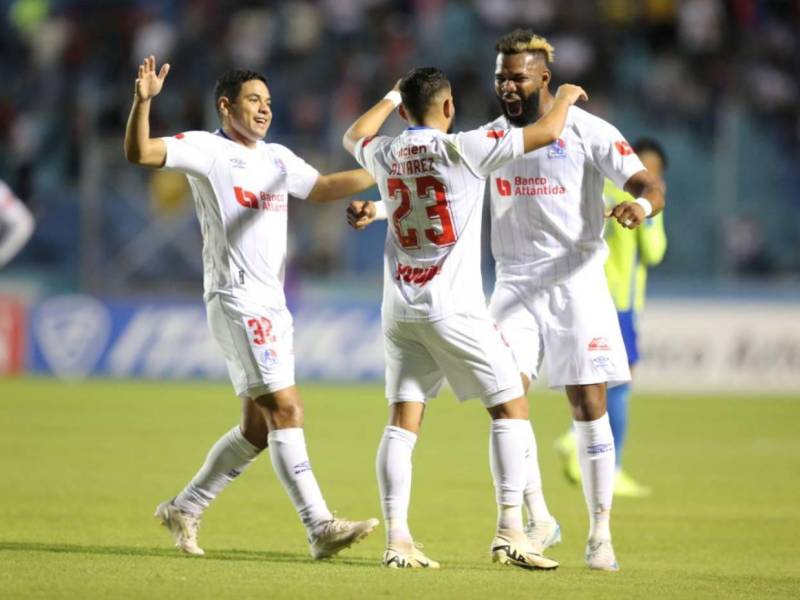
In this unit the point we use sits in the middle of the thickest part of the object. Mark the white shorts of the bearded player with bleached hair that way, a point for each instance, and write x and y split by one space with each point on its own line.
574 323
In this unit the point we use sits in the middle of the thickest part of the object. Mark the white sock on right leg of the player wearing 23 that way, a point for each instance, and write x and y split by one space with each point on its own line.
508 441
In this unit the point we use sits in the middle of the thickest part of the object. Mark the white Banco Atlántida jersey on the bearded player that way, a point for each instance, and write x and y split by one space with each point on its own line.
547 207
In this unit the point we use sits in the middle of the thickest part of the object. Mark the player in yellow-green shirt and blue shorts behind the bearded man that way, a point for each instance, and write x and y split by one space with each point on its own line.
631 253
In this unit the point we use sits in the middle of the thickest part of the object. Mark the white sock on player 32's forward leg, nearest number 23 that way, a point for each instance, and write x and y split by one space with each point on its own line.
287 449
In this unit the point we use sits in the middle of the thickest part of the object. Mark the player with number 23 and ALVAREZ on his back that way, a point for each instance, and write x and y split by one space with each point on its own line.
435 320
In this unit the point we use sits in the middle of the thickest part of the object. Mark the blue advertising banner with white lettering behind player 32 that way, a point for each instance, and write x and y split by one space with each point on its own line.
76 336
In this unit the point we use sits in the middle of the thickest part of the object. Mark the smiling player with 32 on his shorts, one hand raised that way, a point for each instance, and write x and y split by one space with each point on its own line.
241 188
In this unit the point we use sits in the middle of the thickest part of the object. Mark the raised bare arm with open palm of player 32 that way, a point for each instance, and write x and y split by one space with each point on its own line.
140 148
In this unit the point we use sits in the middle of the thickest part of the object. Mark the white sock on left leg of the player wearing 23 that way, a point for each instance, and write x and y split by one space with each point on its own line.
393 465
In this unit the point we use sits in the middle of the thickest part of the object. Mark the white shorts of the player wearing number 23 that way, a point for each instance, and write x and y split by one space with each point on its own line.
466 349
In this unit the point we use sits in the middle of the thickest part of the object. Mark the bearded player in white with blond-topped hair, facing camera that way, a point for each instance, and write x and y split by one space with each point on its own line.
551 296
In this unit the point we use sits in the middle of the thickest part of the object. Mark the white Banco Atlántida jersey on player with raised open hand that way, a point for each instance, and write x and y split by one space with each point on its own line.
241 195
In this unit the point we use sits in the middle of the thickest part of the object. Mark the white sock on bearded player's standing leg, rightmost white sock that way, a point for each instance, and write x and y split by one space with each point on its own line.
596 456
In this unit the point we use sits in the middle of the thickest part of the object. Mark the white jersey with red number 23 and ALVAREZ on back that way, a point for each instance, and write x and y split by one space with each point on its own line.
433 187
